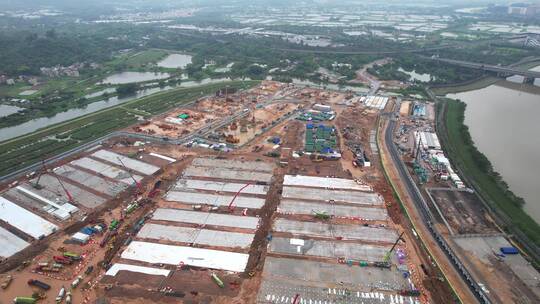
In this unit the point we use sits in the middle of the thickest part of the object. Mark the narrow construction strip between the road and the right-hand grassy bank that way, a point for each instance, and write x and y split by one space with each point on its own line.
460 217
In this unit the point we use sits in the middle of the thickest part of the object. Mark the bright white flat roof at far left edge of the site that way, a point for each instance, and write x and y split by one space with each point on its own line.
25 220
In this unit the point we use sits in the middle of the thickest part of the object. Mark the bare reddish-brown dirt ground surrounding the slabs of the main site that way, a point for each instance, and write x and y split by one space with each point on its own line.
194 285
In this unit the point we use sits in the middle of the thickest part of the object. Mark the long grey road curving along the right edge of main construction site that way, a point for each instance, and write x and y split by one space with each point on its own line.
425 212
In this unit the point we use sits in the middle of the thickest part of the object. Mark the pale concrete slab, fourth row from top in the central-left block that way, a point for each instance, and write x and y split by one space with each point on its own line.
214 199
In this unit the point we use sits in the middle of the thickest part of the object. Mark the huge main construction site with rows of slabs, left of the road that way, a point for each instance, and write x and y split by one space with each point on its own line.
158 215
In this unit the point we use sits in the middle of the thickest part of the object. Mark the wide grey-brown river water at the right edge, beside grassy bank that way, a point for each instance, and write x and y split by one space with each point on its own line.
504 124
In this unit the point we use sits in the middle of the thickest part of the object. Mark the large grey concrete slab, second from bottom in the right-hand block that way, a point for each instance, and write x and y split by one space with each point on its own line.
370 278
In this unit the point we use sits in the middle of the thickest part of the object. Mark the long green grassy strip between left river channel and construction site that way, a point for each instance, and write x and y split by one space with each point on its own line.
28 149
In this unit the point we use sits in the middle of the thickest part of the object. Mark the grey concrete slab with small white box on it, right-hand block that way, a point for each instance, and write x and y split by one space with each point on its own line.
328 249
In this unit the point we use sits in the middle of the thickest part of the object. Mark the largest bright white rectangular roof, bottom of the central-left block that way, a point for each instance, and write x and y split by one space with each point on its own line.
176 255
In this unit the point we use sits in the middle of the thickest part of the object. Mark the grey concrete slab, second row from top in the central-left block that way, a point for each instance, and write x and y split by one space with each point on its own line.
231 174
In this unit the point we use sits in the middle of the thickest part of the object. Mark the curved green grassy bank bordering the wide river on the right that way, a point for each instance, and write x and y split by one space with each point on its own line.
463 153
